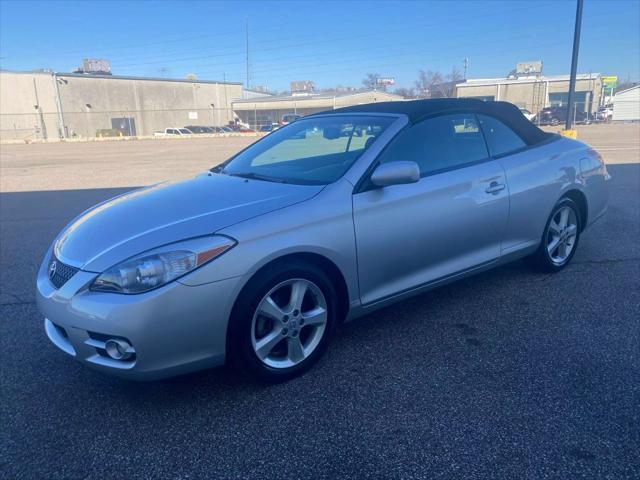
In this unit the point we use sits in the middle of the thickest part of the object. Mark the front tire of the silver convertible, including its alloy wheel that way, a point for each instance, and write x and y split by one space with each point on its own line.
273 334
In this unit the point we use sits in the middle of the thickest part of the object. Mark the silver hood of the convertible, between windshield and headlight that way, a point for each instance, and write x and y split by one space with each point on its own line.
150 217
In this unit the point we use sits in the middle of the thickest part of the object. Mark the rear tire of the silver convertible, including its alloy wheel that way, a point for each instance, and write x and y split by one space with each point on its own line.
560 238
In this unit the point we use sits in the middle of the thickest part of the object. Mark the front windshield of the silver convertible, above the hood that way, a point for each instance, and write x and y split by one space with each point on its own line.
311 151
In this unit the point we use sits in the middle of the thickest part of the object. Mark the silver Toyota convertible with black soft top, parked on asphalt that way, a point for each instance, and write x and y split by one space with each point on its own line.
340 213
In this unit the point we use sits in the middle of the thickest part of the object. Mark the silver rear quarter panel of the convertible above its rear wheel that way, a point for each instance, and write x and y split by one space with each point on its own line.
537 178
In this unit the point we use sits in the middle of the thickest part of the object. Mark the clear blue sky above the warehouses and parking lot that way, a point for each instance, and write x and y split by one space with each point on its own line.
329 42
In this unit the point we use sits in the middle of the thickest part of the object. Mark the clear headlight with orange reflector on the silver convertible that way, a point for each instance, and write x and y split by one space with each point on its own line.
158 267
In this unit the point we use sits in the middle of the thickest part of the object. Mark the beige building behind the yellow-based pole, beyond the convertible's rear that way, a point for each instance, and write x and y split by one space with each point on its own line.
535 92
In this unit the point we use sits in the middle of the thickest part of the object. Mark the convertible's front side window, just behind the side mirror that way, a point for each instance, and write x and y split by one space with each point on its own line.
439 143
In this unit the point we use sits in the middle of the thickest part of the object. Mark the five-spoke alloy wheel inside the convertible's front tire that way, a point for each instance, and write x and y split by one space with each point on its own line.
289 323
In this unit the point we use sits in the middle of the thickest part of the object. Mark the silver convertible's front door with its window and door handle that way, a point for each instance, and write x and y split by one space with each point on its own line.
450 221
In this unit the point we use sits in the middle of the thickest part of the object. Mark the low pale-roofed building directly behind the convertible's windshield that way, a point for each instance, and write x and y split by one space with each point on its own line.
257 112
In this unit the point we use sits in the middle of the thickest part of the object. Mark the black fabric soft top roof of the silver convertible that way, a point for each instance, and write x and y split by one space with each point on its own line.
416 110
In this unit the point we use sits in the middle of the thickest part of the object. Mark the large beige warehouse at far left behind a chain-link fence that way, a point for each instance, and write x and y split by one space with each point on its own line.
46 105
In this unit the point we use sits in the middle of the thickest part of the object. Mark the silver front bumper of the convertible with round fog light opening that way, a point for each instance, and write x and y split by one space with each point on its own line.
175 329
